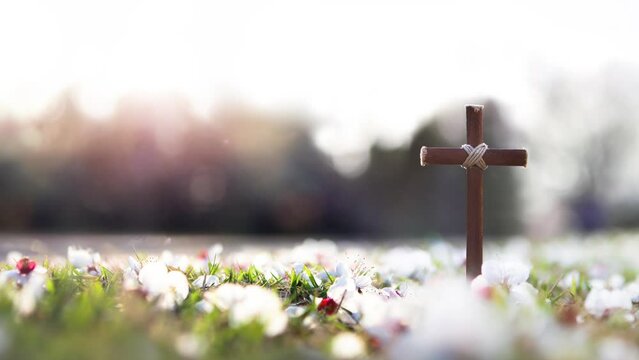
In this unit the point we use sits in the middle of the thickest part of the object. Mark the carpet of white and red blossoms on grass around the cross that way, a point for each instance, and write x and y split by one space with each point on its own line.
404 302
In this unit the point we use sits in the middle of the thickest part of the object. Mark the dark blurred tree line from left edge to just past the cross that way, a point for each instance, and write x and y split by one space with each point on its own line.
241 171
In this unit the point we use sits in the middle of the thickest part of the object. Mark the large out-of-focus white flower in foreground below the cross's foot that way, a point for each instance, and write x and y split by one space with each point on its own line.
444 318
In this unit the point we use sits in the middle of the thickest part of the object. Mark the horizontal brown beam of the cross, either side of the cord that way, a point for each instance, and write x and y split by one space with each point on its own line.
457 156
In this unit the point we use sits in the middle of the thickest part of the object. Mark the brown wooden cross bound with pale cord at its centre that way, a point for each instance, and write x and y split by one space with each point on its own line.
474 178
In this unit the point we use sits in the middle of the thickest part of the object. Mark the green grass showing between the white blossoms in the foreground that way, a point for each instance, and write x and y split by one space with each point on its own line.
83 316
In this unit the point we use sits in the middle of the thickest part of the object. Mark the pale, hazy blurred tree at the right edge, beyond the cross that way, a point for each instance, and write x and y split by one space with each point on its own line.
589 127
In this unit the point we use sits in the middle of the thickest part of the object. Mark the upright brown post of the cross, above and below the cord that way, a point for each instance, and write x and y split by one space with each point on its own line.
474 194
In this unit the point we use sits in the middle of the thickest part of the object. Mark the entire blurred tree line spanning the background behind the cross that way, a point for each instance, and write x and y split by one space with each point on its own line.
156 166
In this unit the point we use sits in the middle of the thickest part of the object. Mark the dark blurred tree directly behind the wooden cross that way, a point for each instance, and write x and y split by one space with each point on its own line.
400 197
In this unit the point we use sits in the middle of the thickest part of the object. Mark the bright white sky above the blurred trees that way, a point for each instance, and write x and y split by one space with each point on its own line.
360 69
